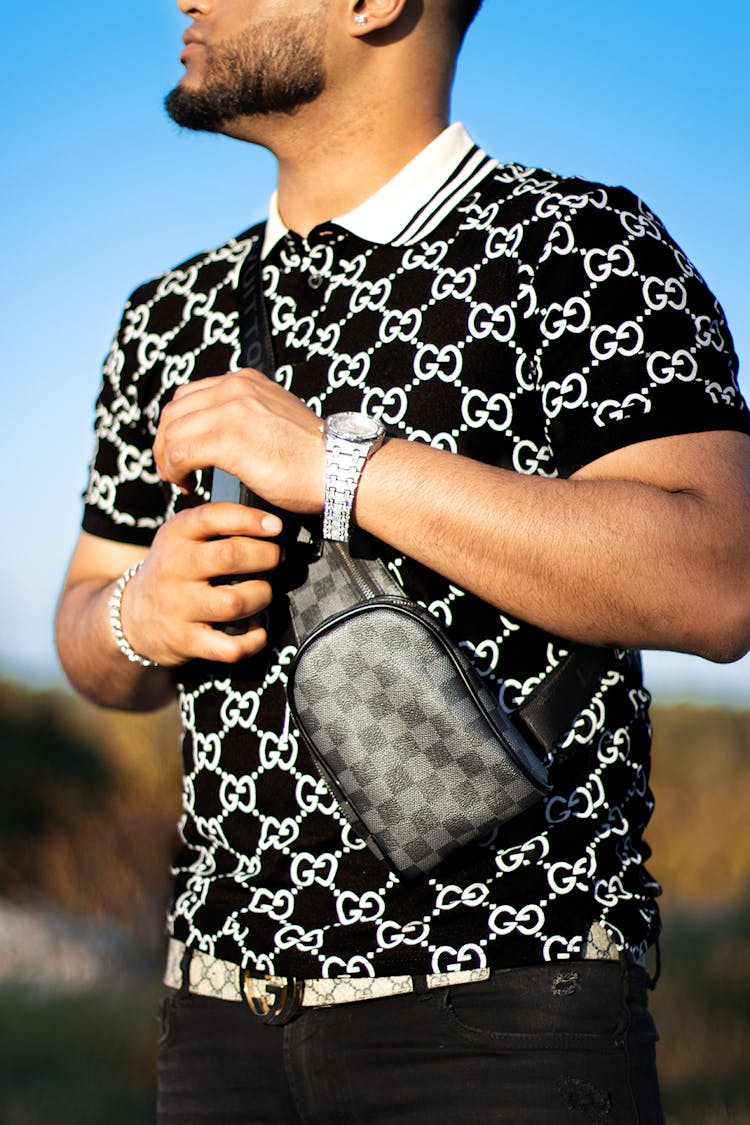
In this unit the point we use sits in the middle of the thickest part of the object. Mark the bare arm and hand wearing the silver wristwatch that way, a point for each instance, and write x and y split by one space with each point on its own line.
647 547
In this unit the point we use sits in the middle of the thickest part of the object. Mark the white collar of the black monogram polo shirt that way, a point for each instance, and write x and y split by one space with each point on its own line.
386 214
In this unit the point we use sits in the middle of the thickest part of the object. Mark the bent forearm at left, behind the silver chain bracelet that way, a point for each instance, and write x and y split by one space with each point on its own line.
94 663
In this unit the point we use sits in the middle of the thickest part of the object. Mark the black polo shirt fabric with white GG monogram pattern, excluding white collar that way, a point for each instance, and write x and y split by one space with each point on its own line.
530 322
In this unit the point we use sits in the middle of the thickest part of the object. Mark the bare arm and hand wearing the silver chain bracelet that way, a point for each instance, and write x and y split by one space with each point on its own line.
169 608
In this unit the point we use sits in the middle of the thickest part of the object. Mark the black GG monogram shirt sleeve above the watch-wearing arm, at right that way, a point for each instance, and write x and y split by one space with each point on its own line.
627 341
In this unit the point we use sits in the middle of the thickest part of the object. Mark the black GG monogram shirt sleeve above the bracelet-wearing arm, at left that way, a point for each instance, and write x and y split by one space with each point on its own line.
124 500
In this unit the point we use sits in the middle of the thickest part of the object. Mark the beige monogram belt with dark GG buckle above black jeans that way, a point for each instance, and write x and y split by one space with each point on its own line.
278 1000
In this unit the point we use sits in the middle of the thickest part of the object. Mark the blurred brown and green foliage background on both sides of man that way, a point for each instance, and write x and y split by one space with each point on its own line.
88 814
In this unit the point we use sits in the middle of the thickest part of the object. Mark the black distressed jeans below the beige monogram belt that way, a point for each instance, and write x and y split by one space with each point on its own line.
562 1045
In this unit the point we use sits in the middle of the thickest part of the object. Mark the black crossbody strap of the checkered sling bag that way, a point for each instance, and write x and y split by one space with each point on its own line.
546 716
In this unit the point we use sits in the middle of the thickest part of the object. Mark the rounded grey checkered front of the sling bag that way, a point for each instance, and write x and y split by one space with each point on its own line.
417 752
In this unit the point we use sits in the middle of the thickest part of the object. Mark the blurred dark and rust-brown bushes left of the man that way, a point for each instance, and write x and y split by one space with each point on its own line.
89 806
